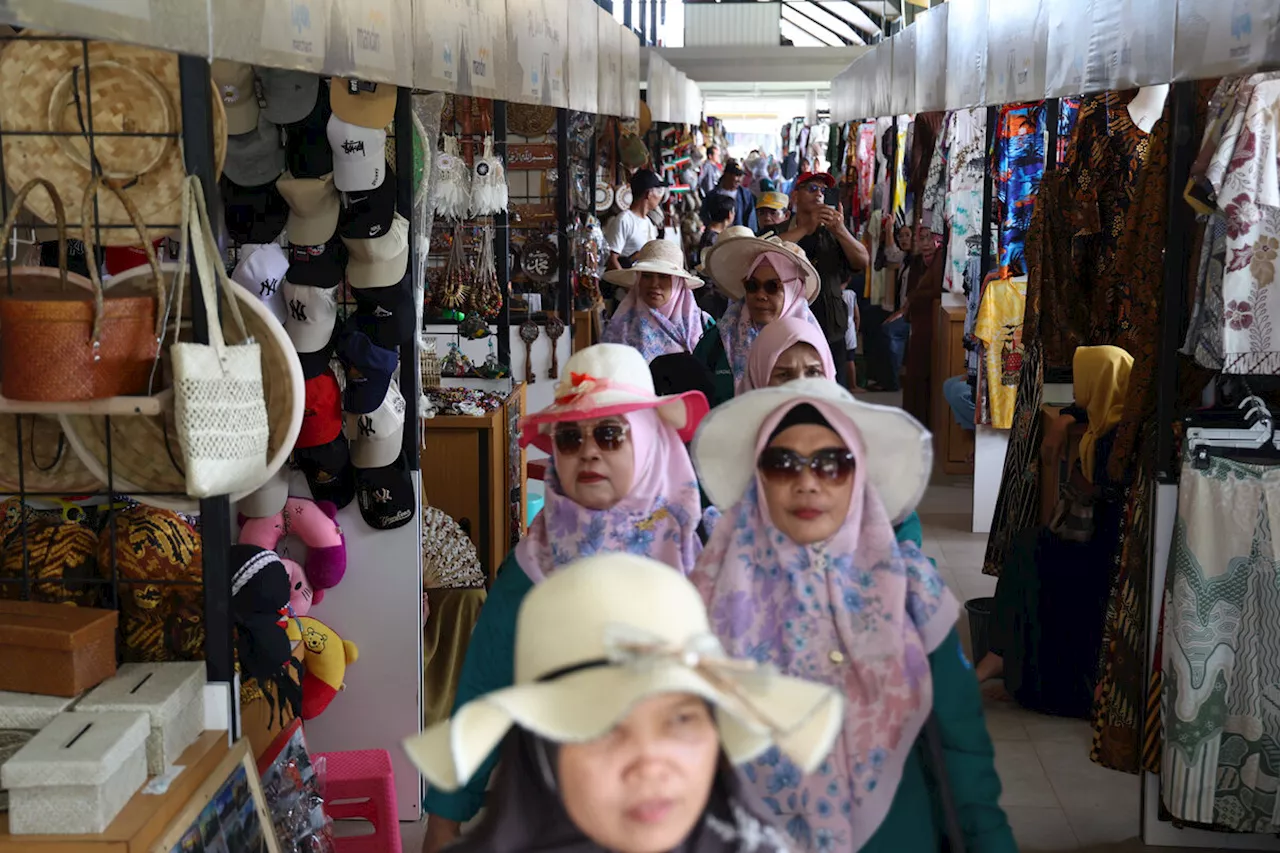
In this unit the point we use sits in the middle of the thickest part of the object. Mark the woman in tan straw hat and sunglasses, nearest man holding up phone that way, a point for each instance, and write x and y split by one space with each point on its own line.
766 280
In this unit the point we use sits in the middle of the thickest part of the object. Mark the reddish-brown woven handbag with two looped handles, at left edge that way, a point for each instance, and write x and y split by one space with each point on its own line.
75 344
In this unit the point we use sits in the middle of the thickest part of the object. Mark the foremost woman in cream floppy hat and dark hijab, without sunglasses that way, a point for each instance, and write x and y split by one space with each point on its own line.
624 722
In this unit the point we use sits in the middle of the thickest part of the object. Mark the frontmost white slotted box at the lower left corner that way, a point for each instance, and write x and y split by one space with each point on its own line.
77 774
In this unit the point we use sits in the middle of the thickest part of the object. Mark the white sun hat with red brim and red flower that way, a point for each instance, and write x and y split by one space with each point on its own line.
610 380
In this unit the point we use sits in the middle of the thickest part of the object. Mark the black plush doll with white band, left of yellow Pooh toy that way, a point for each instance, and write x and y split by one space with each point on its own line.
260 604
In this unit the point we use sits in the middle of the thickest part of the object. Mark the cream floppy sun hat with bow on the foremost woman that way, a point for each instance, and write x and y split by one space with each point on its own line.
604 635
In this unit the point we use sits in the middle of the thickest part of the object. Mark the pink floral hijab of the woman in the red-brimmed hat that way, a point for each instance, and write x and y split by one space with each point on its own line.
657 519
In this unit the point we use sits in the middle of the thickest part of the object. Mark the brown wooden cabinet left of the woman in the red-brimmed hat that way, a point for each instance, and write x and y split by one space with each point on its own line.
470 471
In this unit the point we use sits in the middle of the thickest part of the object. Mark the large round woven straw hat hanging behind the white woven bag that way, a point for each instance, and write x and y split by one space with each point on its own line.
145 451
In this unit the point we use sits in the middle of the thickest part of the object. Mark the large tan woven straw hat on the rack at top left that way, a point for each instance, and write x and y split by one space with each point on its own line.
132 90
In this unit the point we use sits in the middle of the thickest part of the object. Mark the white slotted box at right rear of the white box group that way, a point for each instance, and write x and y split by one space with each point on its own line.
171 695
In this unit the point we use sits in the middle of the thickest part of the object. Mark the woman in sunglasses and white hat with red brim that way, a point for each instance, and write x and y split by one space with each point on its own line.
620 480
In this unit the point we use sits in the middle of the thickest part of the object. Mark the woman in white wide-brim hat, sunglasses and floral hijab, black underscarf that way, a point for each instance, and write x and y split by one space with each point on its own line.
804 572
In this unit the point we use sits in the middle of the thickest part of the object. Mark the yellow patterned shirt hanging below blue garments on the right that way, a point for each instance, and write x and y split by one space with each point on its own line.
1000 329
